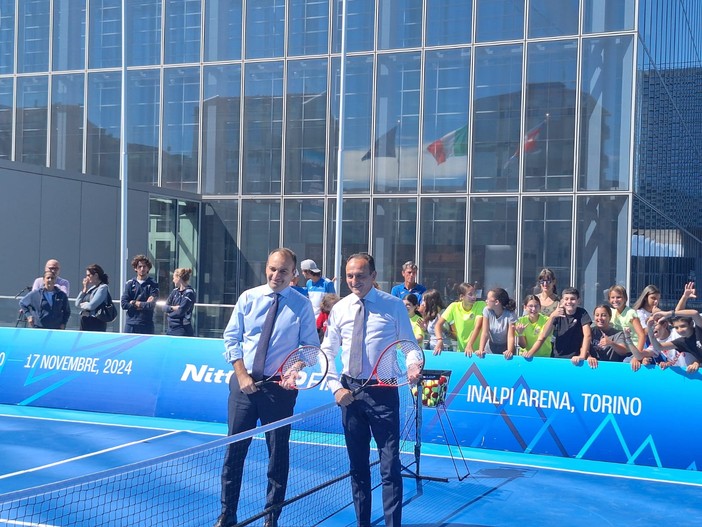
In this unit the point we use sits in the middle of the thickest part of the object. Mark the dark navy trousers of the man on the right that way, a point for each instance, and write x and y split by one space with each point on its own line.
375 411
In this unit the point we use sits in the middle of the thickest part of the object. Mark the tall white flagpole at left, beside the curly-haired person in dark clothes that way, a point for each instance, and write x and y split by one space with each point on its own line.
123 252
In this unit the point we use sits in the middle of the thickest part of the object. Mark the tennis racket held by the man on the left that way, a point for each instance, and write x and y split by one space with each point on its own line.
304 368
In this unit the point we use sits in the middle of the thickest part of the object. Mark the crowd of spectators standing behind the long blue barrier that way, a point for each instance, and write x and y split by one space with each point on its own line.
548 323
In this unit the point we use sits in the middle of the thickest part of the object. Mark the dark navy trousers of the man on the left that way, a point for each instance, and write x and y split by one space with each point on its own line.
270 403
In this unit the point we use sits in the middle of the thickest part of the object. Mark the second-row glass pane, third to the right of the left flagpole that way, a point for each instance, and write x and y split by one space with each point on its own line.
220 134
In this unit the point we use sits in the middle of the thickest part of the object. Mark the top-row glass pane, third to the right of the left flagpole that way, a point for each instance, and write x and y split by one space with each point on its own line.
222 30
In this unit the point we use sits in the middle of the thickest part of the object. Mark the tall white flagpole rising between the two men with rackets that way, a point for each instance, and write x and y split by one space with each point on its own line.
338 271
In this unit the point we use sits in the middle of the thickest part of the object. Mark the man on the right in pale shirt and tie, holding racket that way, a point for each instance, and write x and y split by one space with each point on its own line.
375 411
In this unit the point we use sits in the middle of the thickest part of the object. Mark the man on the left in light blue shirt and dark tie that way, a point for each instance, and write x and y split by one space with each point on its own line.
293 325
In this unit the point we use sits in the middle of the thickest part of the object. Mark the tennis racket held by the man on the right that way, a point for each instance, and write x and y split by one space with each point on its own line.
399 364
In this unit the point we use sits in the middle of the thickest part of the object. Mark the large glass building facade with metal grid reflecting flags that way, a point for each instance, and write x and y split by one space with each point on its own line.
484 139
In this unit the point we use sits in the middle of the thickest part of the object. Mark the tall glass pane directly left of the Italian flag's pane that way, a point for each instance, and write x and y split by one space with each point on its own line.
397 123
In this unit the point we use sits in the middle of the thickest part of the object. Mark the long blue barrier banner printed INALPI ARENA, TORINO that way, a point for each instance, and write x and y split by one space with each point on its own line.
539 406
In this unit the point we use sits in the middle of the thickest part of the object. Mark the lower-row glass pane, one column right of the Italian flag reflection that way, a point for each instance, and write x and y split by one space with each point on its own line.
492 252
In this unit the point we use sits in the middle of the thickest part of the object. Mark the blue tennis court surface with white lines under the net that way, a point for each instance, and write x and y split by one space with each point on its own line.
43 446
